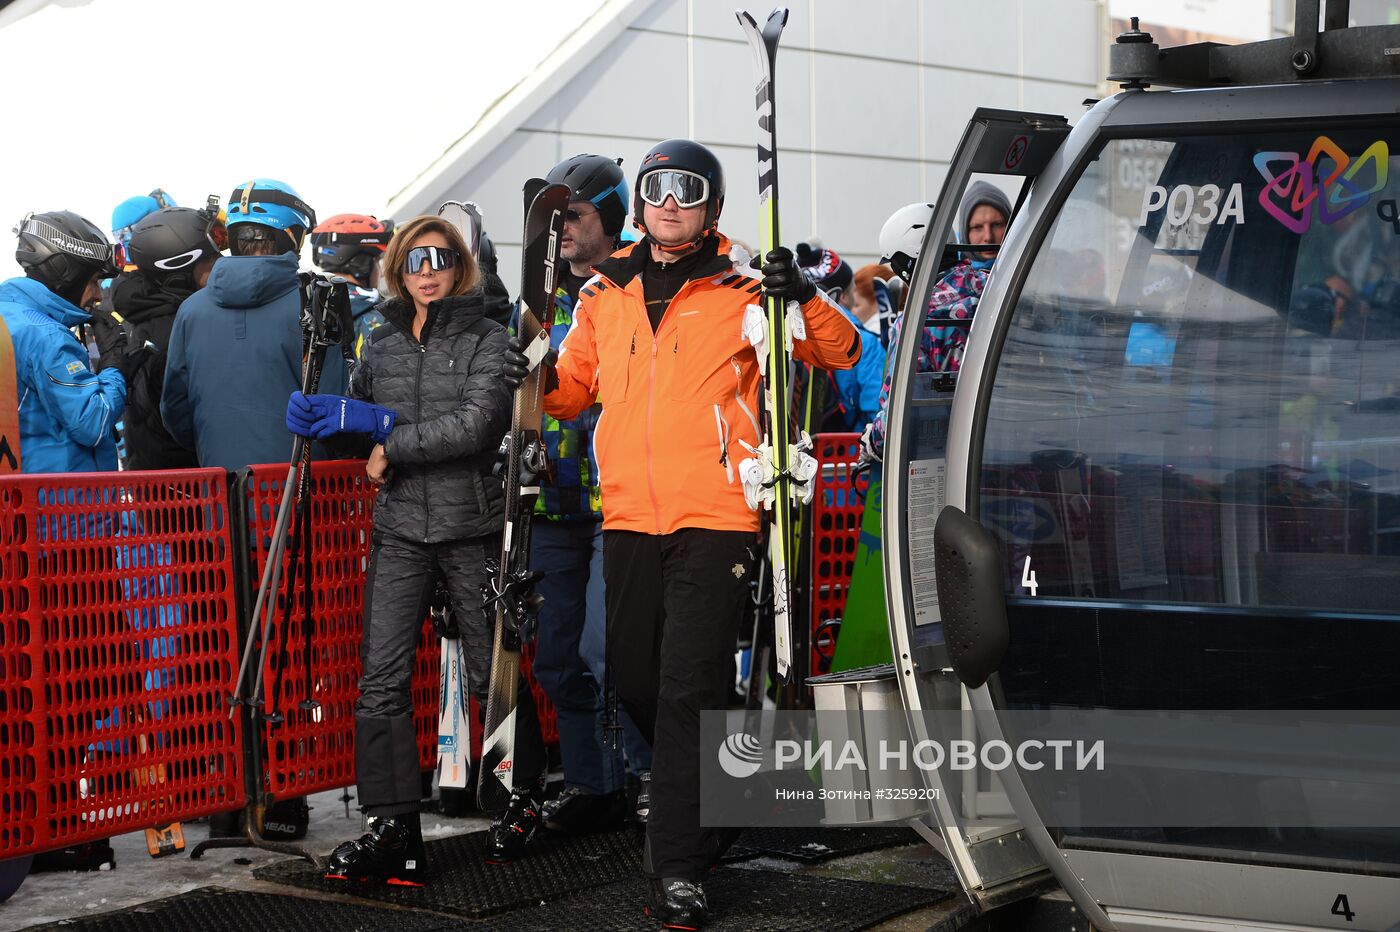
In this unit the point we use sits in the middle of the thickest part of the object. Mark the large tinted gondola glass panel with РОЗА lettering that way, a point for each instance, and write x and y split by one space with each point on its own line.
1192 456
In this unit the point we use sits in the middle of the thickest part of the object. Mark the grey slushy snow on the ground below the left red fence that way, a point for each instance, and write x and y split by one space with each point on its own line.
48 898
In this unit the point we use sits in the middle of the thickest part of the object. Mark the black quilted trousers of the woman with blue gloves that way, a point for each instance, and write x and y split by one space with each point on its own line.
398 591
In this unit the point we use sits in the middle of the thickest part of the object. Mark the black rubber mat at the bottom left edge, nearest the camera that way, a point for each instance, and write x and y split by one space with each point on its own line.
220 910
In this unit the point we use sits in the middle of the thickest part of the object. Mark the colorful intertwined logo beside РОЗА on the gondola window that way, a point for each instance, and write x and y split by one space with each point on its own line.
1331 178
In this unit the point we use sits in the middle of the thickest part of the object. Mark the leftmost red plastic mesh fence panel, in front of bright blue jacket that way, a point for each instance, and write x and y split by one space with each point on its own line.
118 643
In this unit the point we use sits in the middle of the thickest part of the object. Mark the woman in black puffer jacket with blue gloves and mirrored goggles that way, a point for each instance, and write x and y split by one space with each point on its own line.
429 391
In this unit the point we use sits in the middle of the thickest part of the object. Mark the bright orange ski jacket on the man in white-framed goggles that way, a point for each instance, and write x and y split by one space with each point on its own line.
677 404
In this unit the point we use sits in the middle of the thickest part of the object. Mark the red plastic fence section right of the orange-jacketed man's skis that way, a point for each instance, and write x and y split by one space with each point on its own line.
836 528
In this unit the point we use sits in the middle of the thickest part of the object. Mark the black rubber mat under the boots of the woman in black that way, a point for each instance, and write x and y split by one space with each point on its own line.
463 885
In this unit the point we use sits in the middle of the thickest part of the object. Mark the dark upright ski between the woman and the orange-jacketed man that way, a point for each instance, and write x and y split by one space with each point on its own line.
510 598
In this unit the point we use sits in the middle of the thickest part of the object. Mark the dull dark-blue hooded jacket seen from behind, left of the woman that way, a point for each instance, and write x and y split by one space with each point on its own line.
234 359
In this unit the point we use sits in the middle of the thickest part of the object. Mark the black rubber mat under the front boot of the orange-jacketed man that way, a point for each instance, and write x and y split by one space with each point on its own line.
741 901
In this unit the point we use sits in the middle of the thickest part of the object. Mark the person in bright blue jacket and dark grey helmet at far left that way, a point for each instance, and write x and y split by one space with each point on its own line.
66 409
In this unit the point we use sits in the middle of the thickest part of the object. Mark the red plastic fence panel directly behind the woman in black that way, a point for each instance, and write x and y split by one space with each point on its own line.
313 749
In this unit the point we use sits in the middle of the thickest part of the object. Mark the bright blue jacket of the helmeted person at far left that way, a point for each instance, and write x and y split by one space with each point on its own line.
66 411
